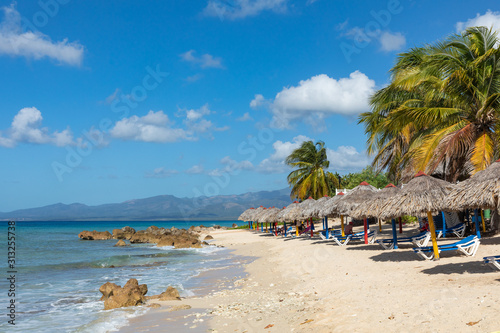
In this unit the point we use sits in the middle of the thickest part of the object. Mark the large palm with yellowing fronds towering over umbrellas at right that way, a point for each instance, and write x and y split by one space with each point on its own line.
441 110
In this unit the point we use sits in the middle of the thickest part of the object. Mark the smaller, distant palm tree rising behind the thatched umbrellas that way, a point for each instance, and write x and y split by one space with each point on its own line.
310 179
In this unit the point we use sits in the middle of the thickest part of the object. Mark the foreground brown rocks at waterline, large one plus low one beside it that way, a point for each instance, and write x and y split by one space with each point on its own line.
132 294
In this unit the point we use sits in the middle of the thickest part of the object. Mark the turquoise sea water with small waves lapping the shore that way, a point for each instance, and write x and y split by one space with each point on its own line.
58 275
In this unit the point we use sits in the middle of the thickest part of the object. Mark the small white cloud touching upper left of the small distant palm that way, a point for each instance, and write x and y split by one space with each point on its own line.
276 162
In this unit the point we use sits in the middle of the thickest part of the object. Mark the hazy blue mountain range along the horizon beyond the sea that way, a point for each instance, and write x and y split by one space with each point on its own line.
162 207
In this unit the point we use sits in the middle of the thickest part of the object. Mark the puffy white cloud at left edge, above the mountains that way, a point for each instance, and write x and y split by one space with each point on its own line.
26 127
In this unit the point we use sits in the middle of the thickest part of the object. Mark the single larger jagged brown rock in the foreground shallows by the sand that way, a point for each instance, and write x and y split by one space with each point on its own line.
131 294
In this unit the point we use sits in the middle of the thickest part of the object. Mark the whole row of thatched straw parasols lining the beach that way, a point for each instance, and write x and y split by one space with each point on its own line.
423 196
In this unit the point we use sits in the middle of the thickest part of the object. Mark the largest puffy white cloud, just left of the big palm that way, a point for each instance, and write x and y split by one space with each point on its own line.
320 96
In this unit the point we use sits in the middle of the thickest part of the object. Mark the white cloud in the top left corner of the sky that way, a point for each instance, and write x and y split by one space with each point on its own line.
15 42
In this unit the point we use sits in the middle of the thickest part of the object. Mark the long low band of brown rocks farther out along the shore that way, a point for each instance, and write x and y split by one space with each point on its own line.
179 238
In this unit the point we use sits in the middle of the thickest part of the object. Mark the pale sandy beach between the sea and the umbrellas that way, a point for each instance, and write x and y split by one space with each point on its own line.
311 285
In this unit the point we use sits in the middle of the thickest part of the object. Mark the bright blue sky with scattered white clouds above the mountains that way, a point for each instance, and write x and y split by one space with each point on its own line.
108 101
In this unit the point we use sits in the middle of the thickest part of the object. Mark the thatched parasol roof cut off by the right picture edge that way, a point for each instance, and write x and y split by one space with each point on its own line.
482 190
